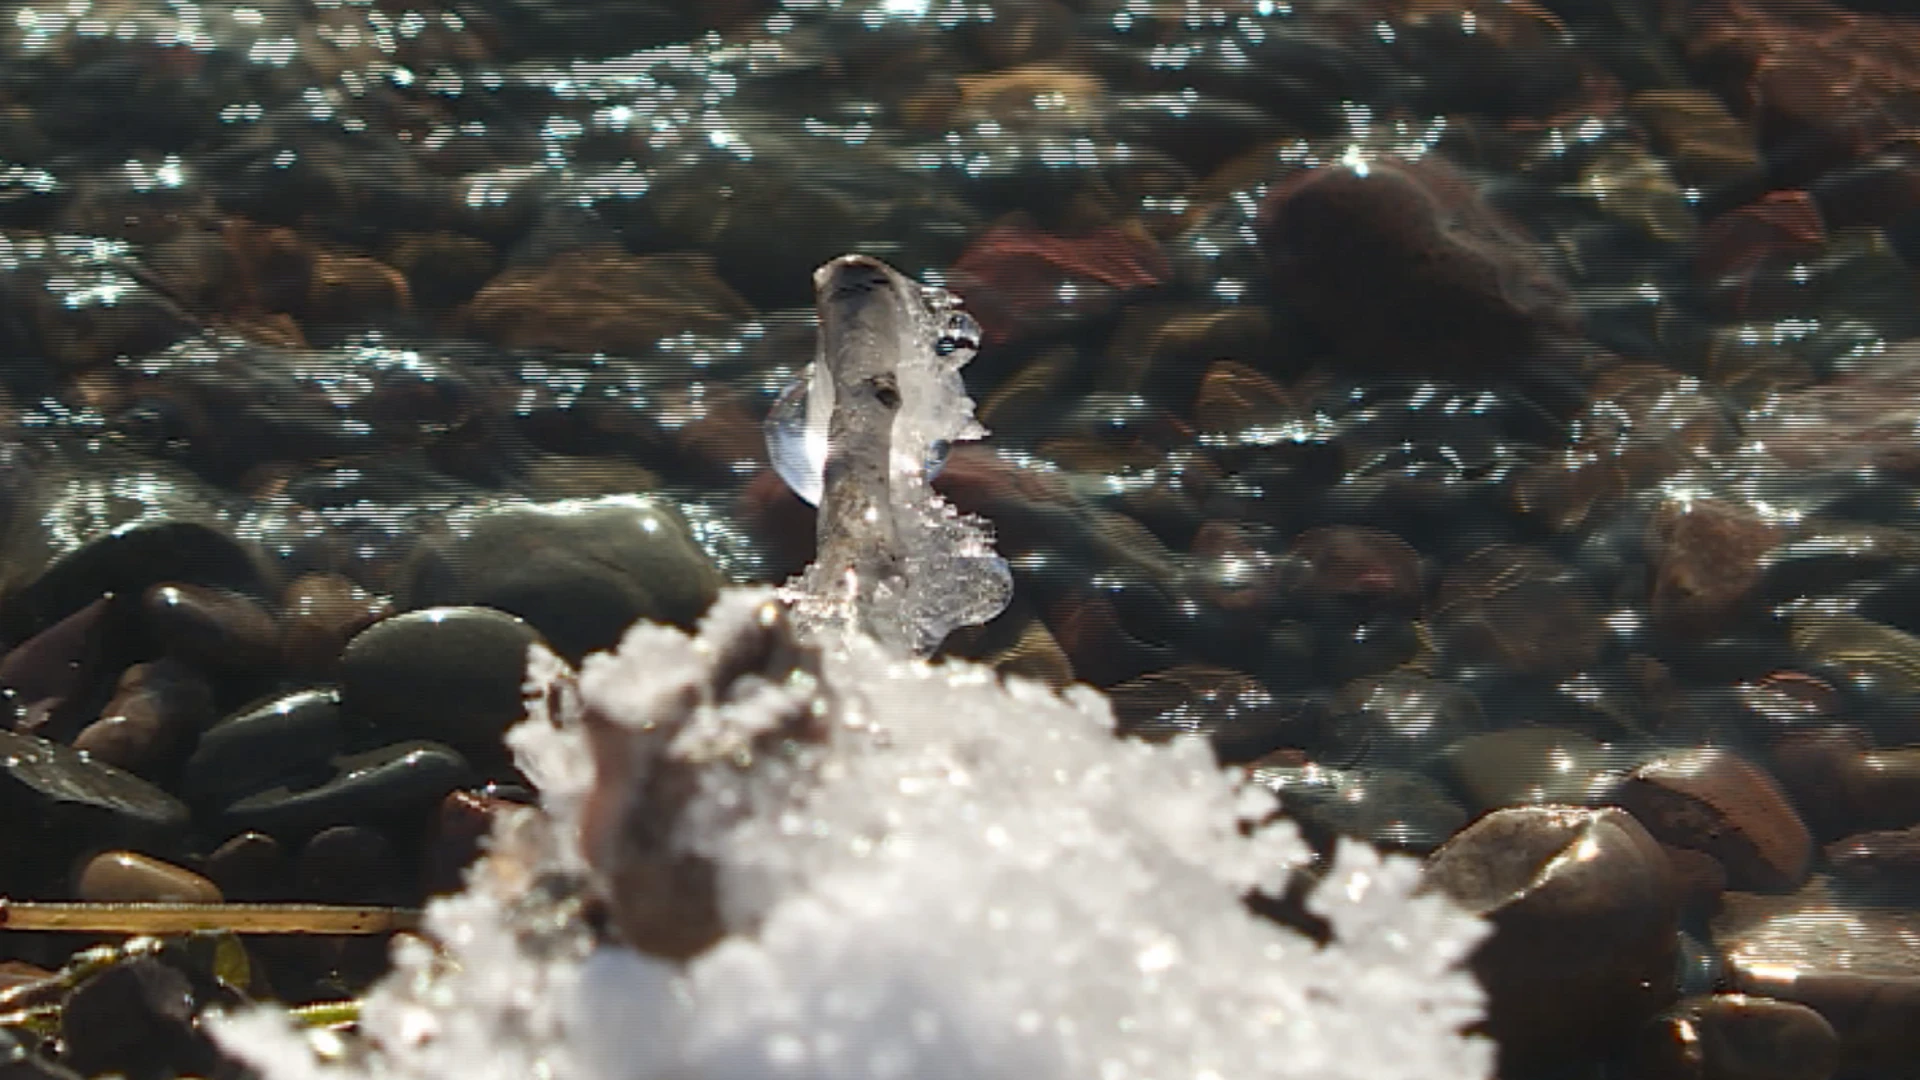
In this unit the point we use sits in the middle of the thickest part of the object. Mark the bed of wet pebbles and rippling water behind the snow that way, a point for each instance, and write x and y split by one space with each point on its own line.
1491 424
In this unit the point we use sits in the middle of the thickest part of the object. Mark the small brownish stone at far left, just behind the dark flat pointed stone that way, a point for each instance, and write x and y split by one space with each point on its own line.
151 720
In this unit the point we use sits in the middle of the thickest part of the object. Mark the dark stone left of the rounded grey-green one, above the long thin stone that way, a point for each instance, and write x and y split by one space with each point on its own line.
287 737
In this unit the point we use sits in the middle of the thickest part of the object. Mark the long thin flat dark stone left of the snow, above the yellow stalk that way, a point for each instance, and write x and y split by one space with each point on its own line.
368 789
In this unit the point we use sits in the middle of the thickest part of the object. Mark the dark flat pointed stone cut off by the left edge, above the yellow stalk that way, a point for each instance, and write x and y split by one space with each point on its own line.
64 802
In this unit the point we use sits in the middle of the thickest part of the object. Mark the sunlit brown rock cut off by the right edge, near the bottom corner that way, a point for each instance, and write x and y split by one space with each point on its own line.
1854 966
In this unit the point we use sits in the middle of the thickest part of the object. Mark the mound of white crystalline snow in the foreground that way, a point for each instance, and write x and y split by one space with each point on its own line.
784 848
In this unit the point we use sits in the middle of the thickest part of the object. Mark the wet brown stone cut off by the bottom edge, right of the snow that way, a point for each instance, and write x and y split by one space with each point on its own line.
1735 1037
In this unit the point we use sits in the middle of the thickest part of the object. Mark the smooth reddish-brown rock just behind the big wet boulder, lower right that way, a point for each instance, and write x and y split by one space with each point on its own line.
1721 804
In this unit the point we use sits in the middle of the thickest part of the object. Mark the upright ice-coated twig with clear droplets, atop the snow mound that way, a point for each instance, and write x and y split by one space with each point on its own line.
863 439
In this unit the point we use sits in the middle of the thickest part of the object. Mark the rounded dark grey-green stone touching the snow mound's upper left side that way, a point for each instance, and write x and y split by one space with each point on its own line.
444 674
